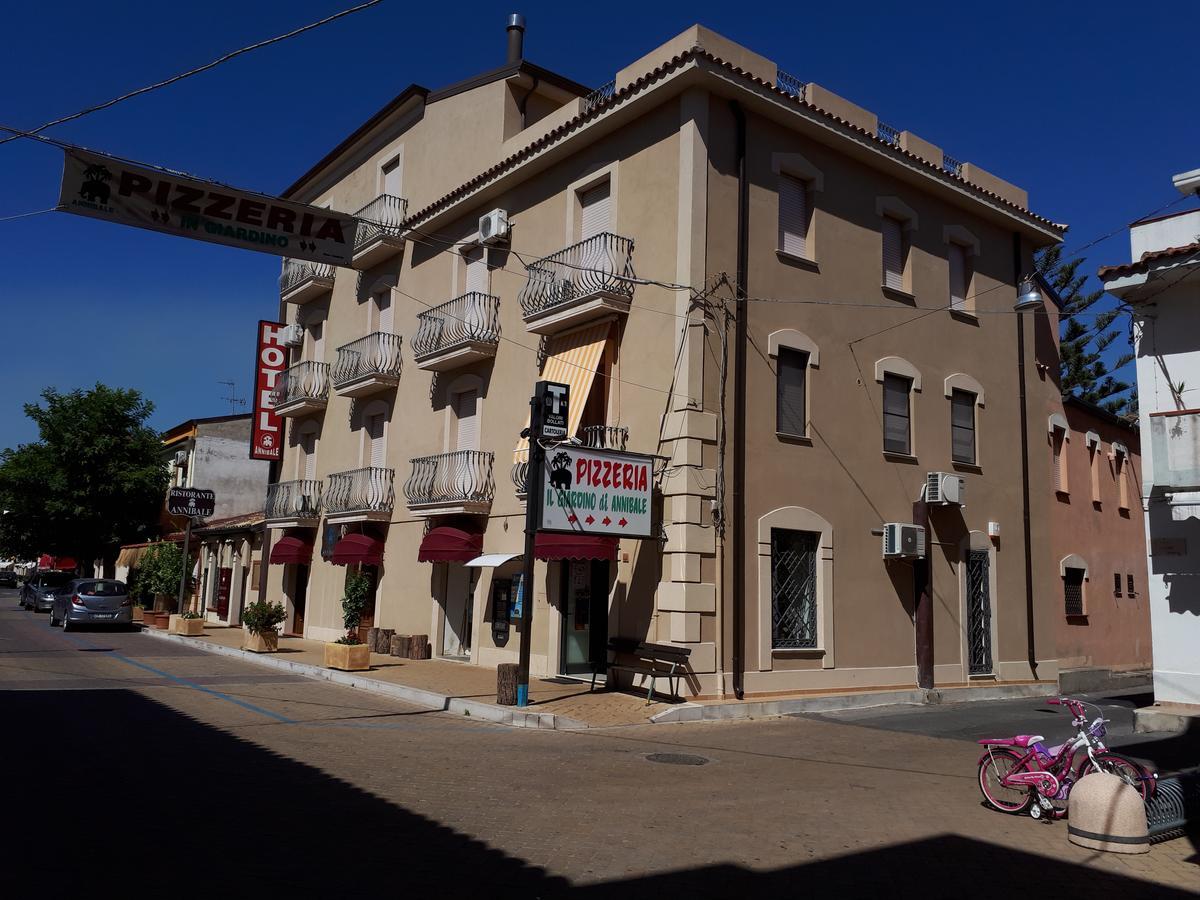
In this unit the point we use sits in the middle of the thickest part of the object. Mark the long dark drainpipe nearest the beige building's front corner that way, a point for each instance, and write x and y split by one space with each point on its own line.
740 407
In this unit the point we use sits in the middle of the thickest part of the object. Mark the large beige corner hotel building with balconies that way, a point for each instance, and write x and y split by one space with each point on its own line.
628 218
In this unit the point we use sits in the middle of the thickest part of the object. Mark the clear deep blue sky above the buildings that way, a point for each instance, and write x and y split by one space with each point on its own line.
1085 110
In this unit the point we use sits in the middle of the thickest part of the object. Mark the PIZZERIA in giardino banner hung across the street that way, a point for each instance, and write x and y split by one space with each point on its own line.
110 189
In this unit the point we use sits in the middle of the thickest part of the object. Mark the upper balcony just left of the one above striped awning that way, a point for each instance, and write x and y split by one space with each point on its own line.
464 331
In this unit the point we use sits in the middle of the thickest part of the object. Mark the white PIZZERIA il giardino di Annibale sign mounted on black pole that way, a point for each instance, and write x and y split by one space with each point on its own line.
598 493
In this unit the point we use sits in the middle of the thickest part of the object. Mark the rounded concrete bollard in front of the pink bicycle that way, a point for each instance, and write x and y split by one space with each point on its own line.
1107 814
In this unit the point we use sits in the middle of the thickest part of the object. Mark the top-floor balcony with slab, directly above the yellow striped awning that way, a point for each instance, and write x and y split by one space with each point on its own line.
585 283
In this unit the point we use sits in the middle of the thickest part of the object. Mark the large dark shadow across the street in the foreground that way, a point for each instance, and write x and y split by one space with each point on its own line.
113 791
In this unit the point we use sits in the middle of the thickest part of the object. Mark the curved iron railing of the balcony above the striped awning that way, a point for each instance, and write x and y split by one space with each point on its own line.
599 265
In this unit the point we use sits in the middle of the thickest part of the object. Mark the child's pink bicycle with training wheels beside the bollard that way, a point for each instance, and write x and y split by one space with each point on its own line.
1022 775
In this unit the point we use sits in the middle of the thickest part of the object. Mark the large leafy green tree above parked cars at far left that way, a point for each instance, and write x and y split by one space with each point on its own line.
92 482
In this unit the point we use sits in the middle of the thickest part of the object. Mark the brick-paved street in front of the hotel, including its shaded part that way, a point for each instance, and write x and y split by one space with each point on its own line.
137 765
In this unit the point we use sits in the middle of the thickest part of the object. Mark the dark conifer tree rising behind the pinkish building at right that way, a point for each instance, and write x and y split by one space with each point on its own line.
1085 334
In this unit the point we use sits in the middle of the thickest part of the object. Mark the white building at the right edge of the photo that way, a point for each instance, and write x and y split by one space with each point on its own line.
1162 284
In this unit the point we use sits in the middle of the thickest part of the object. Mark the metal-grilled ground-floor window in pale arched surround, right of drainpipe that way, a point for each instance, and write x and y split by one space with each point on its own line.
794 590
